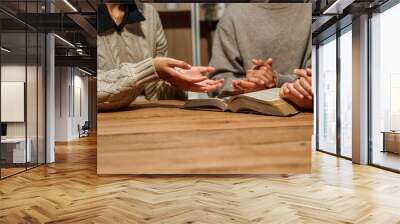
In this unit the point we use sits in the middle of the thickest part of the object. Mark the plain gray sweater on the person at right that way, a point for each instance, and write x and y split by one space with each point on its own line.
281 31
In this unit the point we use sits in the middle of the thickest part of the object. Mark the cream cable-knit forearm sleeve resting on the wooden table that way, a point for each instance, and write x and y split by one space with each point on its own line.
117 88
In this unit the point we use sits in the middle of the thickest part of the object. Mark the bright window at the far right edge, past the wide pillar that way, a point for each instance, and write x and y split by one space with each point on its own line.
385 88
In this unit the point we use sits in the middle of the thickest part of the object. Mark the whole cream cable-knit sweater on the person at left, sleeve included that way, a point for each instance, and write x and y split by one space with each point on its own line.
124 63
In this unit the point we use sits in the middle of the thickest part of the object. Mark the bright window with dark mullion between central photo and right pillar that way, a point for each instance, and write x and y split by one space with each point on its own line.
335 137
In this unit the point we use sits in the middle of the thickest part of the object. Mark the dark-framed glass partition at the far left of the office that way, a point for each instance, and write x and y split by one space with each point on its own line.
22 77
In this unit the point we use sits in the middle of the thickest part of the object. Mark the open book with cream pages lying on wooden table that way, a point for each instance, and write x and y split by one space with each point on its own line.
265 102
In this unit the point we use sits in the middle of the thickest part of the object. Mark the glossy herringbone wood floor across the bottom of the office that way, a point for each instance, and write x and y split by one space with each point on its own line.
69 191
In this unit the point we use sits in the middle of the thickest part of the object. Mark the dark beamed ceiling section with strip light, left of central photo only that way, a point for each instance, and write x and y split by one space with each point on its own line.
76 25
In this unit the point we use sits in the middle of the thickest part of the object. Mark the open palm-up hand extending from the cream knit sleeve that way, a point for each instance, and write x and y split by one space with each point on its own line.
183 76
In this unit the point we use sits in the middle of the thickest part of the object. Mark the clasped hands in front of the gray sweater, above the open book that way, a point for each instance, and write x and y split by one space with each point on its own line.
260 77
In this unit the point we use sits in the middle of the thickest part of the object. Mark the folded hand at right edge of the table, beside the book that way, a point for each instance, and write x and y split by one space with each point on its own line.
300 91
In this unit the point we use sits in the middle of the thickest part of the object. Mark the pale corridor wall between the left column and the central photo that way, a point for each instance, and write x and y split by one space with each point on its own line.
67 115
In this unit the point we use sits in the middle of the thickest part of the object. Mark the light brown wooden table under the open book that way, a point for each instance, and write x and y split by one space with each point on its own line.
161 138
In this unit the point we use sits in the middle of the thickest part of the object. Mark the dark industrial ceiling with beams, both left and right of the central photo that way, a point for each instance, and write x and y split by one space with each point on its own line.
79 27
